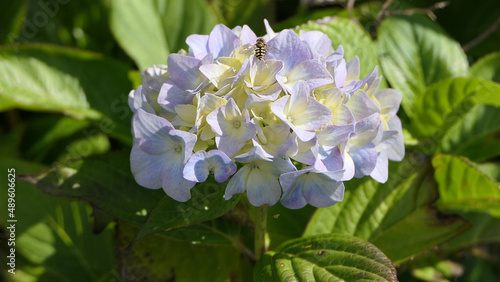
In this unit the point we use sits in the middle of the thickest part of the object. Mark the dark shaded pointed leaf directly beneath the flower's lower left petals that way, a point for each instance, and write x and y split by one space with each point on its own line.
207 202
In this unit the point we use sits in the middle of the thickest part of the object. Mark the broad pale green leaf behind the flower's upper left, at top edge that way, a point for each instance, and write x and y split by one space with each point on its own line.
148 30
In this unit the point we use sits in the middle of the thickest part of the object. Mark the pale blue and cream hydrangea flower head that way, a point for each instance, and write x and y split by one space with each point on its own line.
298 122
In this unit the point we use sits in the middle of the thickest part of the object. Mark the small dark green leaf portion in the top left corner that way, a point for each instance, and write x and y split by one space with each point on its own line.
11 19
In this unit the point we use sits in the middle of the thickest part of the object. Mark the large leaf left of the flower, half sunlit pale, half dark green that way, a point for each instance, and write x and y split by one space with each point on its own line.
77 83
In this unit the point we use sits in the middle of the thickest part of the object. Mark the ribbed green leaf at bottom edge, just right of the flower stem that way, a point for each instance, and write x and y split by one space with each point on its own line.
332 257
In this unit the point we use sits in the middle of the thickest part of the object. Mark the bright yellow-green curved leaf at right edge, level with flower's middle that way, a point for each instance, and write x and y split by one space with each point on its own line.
448 101
